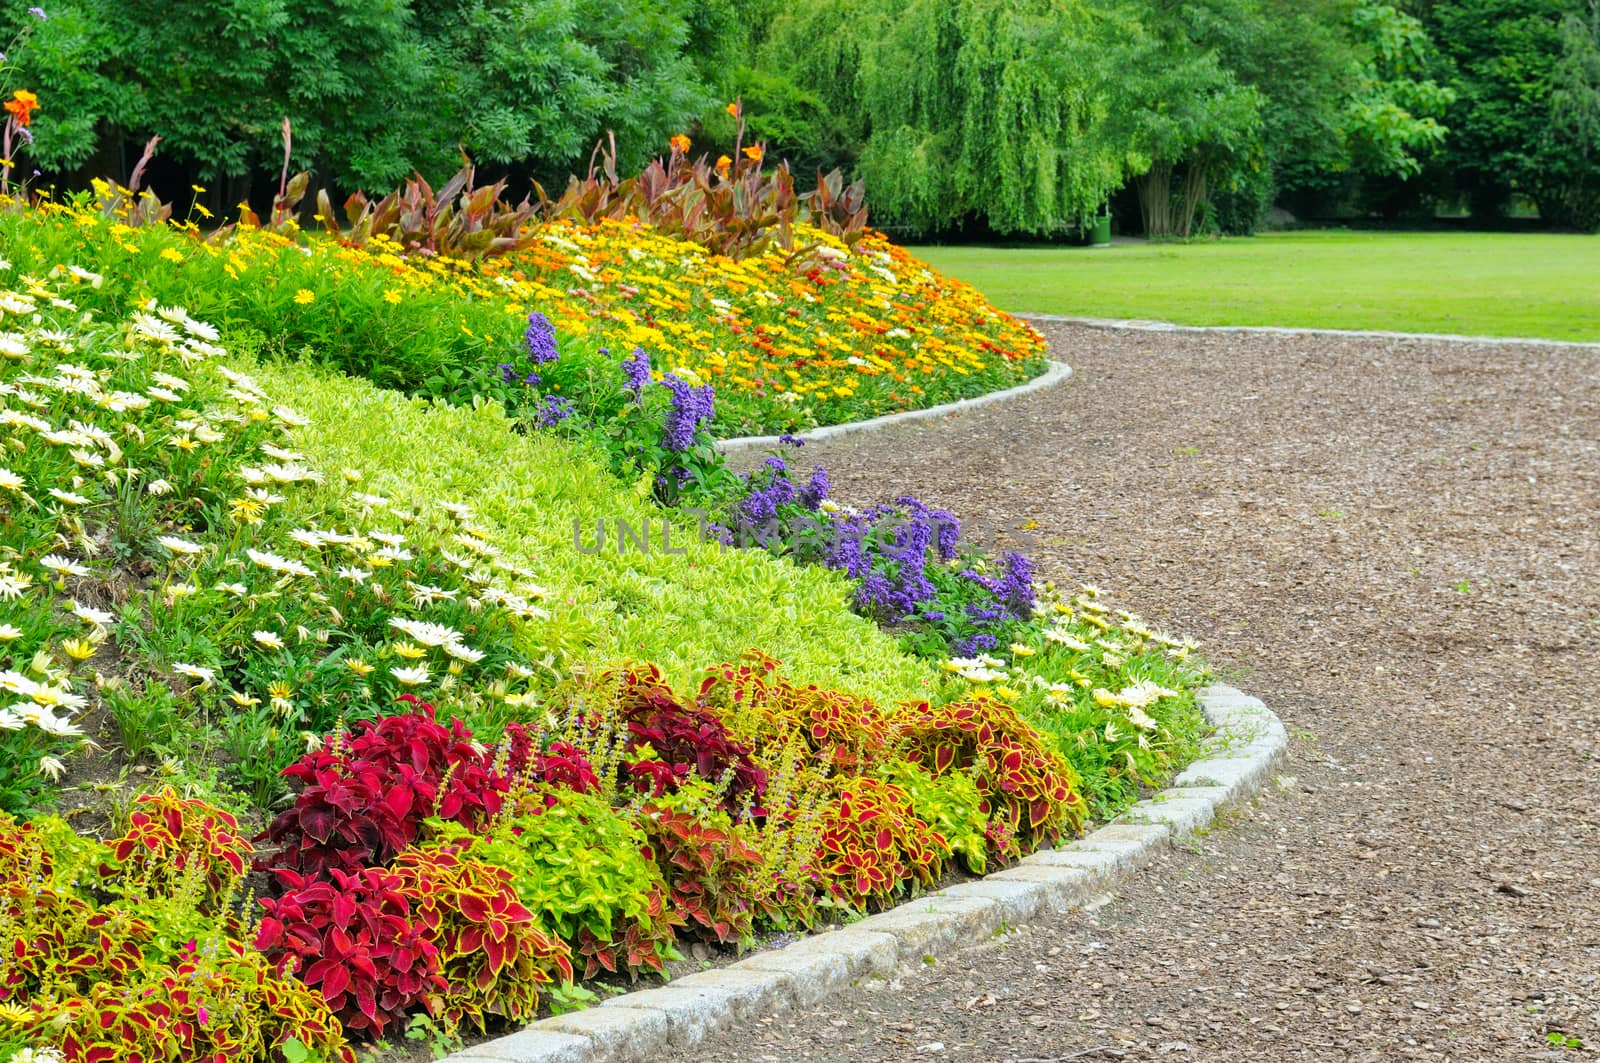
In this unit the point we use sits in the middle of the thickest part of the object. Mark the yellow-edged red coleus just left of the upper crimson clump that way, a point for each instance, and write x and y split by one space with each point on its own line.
170 840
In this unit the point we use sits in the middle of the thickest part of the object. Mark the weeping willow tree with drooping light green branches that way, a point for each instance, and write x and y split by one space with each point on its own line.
991 110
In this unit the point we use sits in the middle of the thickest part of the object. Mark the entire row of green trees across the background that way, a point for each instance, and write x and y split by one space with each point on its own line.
962 116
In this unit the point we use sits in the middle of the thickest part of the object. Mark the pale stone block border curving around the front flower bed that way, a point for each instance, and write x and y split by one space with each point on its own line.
650 1024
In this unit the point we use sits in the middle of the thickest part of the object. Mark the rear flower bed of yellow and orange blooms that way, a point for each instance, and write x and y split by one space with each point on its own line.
841 337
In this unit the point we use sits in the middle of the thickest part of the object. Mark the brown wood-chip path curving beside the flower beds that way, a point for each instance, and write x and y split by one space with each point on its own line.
1398 547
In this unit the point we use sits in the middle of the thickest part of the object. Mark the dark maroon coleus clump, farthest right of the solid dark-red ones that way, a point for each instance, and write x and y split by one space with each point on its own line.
686 740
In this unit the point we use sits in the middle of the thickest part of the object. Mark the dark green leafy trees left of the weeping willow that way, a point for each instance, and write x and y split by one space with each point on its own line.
534 82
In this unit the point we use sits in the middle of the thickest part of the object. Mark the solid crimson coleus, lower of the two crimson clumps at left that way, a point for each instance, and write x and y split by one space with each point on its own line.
353 937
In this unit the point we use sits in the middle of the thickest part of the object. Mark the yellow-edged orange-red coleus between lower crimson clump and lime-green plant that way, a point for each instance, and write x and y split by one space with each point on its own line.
492 953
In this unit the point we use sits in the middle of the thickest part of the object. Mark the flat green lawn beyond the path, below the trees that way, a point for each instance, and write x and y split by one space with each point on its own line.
1479 284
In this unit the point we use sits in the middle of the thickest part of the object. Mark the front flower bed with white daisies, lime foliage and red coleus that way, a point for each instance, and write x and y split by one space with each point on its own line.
266 600
